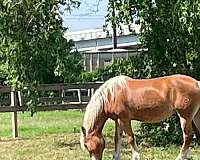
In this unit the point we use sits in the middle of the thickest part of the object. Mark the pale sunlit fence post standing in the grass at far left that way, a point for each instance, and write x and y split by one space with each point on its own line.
14 114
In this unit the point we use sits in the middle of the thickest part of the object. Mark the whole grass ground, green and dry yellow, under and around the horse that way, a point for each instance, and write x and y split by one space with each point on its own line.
55 136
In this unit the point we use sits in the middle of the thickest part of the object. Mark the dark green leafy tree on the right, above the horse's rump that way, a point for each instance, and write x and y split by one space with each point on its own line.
170 31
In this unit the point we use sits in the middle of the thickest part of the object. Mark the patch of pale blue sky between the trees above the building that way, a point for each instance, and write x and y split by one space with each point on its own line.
87 16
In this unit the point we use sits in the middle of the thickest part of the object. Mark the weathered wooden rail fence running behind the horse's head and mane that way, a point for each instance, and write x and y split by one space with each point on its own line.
51 97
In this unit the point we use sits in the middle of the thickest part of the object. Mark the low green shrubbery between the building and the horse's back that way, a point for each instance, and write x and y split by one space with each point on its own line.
136 67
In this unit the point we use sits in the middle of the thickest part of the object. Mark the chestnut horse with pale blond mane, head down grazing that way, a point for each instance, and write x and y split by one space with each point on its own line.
124 99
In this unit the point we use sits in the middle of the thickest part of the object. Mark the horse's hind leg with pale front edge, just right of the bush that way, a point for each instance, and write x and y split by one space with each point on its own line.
186 125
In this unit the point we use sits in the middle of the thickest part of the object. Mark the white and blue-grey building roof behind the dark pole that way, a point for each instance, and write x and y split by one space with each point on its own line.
97 39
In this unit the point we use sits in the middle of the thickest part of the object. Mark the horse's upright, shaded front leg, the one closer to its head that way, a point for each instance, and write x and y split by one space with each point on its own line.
118 137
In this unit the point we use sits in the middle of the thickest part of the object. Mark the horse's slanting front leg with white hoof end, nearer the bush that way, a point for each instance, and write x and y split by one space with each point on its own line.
131 140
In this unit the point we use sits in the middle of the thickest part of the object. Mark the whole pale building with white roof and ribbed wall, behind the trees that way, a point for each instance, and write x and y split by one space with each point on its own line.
96 45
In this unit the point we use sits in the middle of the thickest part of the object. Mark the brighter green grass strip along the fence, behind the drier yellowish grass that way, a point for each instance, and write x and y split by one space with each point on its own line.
42 123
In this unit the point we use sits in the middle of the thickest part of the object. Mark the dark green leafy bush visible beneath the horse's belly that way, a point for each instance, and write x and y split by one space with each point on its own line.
163 133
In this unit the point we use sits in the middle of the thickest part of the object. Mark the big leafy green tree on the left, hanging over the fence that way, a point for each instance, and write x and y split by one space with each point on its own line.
32 47
